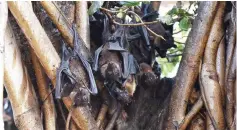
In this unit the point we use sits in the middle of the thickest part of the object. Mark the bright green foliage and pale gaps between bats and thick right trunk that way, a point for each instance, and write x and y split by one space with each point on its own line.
169 65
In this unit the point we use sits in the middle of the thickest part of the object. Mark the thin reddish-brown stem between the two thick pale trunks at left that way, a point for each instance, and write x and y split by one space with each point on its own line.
44 93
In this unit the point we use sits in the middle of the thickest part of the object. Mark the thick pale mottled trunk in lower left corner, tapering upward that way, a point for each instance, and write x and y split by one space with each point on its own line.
19 87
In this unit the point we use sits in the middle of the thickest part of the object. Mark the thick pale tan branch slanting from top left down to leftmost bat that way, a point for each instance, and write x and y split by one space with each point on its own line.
26 19
